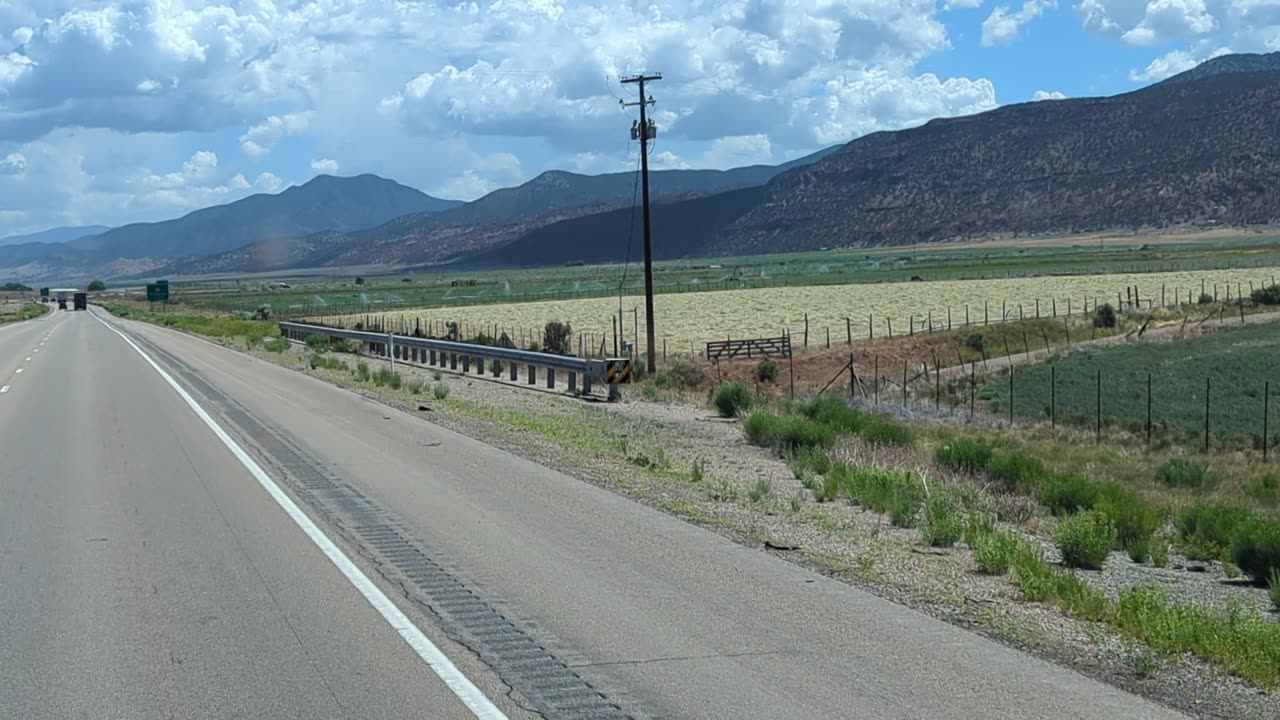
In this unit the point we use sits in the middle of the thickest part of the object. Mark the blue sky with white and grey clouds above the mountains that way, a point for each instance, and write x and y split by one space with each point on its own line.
120 111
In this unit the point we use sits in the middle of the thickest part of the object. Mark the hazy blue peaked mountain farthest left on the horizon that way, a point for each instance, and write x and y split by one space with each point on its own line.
324 204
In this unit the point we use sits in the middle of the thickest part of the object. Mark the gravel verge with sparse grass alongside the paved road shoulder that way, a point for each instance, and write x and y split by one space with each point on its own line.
646 450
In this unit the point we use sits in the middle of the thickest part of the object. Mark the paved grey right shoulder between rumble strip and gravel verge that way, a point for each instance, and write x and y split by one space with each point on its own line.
661 617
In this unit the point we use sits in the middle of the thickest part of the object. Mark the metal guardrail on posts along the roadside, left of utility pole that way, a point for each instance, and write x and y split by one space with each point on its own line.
451 354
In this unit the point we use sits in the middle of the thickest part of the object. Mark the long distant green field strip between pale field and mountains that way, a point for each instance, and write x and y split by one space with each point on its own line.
332 294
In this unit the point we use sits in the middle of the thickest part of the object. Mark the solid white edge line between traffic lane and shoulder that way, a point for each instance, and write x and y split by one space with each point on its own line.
435 658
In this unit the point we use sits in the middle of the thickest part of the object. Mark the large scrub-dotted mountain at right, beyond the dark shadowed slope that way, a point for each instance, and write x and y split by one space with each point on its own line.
1203 151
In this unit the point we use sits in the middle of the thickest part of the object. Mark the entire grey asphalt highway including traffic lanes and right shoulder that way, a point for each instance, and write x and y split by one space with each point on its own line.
147 573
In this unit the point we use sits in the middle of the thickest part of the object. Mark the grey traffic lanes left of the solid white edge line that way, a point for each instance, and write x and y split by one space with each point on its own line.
145 575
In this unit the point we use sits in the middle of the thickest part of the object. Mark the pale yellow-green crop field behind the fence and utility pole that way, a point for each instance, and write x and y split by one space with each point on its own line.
687 321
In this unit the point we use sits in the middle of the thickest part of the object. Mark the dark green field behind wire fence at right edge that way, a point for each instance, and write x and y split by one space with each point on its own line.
1236 362
